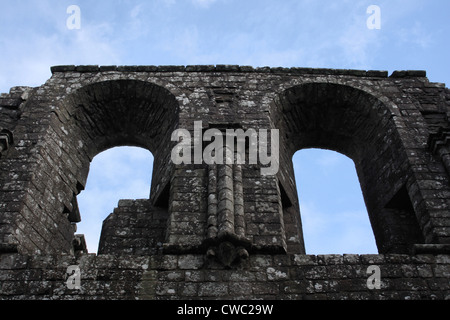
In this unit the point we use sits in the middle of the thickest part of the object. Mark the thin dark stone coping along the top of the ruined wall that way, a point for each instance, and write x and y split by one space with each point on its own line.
237 68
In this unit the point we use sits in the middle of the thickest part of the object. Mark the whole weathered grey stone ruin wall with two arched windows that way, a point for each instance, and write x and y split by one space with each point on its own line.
222 231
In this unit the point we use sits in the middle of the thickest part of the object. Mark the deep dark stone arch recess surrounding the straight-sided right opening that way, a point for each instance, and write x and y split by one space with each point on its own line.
361 126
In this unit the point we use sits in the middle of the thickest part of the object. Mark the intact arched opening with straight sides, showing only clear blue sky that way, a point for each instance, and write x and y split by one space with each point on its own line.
333 212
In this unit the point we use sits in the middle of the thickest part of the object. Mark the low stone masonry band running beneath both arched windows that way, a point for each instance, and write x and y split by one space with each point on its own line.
193 277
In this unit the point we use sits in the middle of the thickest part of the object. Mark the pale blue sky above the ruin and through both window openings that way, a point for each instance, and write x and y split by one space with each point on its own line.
287 33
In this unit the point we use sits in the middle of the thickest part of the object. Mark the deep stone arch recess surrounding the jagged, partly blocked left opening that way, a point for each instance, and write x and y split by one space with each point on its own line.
88 121
